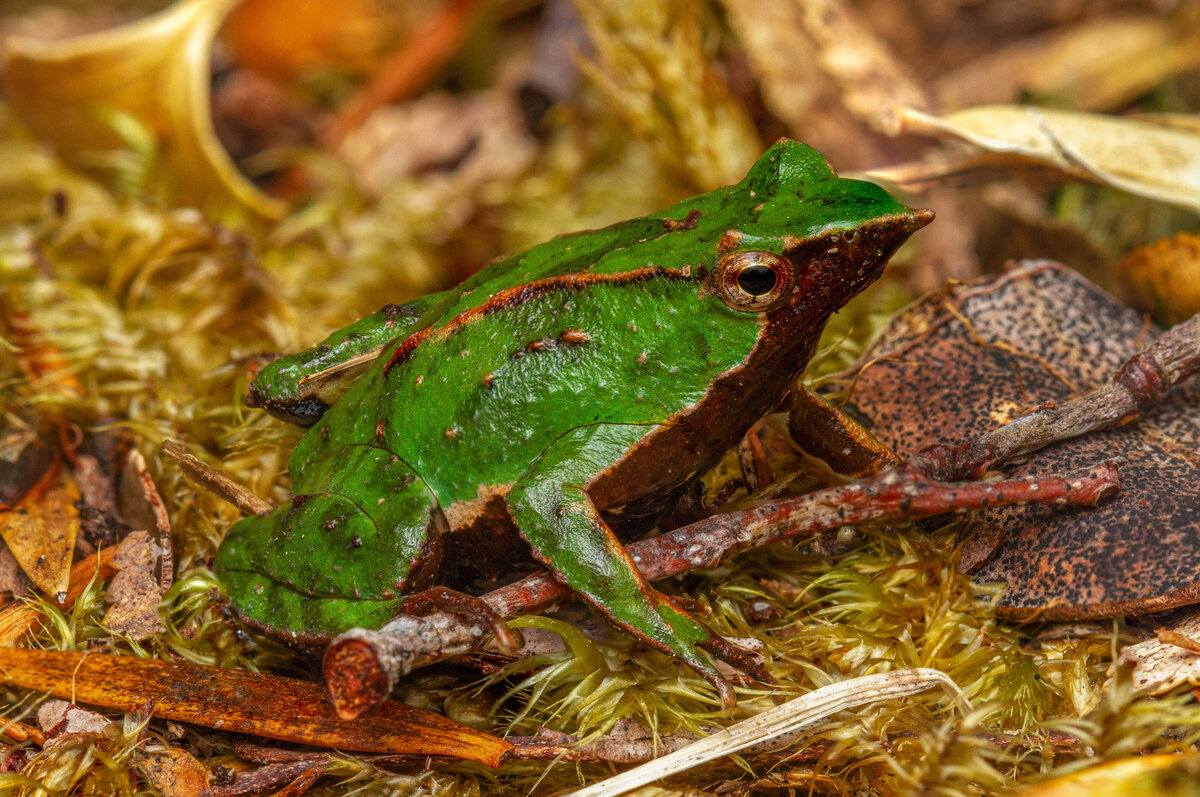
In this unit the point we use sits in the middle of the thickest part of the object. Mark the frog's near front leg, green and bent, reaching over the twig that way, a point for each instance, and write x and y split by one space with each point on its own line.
555 514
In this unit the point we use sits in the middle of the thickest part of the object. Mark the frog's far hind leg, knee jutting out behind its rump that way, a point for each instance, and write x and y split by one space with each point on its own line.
299 388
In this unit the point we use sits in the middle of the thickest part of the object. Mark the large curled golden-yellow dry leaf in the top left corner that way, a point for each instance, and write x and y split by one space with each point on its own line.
155 70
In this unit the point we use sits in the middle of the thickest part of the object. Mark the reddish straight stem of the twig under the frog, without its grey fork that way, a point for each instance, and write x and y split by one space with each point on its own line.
363 666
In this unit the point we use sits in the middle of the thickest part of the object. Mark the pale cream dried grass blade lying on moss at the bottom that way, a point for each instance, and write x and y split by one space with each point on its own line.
771 726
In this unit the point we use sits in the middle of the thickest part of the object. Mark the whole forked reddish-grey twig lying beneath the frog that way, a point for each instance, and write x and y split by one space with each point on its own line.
362 667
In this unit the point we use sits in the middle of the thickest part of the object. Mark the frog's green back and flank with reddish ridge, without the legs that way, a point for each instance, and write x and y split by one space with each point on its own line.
611 326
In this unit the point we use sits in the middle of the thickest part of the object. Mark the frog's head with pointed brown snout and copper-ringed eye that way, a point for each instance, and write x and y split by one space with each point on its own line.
814 242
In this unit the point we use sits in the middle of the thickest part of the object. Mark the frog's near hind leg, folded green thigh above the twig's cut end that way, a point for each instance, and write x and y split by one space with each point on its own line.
340 559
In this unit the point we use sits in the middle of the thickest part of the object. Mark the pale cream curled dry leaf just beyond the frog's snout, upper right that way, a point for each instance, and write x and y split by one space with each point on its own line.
1142 157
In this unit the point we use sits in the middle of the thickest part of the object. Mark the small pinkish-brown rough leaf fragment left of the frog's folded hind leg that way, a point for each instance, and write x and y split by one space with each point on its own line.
135 592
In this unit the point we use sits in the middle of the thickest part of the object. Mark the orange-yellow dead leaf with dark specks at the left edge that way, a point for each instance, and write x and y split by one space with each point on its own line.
41 534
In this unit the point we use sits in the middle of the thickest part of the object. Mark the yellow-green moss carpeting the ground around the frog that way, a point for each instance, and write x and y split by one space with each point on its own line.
158 311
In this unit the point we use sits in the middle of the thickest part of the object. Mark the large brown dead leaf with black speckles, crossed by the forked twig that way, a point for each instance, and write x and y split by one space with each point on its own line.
965 362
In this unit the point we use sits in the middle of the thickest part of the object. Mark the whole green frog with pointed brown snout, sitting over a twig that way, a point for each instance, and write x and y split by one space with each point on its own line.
584 381
